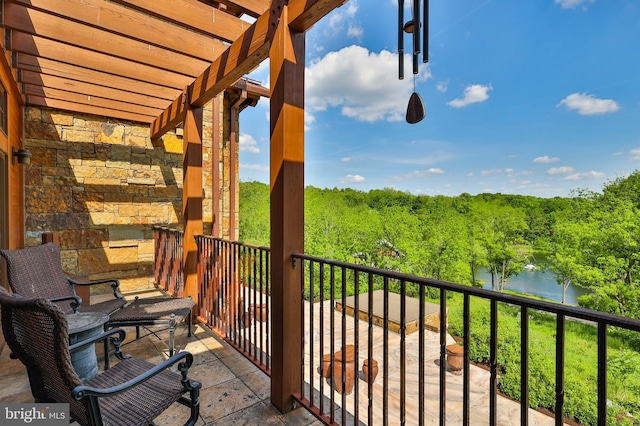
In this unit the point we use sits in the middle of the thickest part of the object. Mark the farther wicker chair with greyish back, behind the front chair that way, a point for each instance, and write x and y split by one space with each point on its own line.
36 272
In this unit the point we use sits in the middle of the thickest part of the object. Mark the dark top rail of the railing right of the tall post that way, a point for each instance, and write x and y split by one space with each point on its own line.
570 311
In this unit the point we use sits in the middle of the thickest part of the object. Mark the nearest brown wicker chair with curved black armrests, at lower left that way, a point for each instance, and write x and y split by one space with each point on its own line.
133 392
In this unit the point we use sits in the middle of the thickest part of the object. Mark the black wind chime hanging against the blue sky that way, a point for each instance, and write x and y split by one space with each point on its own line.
415 109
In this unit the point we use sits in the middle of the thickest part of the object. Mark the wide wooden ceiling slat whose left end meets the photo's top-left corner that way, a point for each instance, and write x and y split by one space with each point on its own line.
33 22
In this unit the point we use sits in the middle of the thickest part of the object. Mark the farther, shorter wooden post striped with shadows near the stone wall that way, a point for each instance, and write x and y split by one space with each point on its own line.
191 198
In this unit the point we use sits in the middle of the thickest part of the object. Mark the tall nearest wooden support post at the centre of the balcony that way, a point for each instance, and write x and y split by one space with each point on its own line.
287 55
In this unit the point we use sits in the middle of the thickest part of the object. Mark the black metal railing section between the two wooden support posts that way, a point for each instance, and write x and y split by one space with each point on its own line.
234 295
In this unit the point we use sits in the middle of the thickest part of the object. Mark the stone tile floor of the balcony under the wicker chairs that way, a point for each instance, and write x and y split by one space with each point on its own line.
234 391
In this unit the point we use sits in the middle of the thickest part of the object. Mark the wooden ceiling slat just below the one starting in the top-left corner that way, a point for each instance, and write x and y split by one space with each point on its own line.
38 46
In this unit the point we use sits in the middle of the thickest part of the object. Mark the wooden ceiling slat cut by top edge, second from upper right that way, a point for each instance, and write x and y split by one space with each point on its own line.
193 14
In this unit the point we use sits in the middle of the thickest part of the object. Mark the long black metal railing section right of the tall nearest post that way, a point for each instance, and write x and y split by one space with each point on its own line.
336 322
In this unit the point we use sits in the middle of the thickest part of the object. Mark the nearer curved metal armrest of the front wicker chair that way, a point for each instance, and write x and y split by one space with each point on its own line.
186 359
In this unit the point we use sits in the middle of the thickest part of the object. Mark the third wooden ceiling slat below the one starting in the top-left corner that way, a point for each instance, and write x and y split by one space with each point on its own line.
29 77
